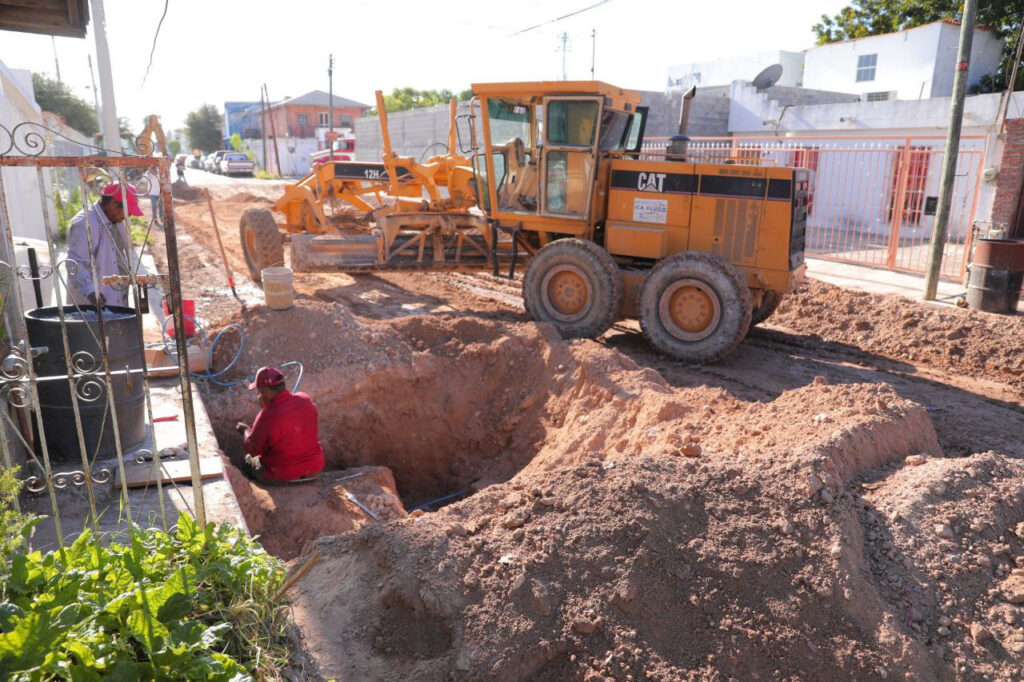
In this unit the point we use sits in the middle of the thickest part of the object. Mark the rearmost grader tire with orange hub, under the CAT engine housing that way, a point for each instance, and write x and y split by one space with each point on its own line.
696 308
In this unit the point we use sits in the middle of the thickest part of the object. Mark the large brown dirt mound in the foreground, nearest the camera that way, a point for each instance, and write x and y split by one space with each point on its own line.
662 568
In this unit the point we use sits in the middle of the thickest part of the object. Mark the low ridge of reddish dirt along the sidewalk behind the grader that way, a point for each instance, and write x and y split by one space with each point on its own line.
962 342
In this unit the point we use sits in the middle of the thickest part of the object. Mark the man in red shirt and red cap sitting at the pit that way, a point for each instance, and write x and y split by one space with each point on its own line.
282 446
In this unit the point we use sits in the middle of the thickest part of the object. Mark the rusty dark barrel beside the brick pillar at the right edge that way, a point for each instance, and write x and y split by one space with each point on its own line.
997 276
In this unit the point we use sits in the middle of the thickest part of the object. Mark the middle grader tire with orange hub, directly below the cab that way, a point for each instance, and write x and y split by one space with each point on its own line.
575 286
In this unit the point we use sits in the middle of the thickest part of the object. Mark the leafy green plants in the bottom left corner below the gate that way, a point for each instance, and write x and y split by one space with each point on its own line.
192 605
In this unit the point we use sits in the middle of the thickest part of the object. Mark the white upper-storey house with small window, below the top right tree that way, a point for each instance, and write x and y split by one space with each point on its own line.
916 64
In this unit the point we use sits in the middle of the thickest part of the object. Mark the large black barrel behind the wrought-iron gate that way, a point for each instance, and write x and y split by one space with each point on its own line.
55 393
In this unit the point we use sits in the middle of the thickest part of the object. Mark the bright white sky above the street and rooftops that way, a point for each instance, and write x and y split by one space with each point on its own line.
215 51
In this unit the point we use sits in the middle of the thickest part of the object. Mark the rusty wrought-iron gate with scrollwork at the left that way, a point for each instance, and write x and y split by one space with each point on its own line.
64 450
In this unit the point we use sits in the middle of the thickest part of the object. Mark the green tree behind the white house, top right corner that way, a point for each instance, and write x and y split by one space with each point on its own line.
871 18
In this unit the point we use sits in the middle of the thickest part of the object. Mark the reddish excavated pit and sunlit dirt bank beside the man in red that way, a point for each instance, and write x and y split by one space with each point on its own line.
451 405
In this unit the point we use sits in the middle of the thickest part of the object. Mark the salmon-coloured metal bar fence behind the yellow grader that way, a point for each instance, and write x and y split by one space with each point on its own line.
873 200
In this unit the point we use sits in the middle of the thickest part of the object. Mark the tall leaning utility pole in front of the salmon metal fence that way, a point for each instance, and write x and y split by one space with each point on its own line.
941 228
